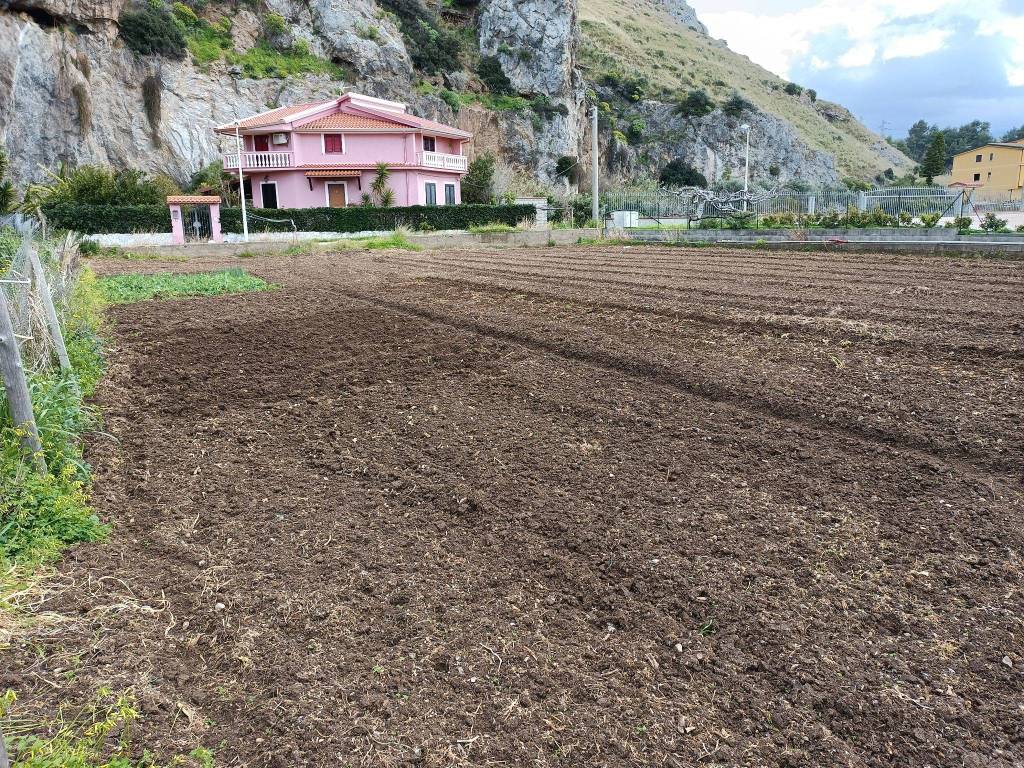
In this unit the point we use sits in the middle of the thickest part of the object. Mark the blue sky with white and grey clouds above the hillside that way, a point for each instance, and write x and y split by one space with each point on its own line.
890 62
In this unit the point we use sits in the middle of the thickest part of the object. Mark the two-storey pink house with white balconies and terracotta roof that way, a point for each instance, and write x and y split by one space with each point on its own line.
325 154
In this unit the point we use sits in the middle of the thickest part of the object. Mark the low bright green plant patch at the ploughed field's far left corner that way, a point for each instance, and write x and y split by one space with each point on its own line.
129 289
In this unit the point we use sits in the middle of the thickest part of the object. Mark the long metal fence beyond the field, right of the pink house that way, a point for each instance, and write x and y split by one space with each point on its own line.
894 201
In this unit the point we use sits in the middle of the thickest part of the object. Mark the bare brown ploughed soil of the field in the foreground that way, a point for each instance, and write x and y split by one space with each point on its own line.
575 507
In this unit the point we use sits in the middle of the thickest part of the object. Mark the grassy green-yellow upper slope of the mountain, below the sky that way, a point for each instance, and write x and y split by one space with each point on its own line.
668 61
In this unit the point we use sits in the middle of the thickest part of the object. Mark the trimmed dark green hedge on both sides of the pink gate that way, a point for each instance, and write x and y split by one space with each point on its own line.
103 220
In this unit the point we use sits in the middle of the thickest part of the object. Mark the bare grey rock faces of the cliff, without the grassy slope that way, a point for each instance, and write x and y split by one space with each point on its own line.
72 92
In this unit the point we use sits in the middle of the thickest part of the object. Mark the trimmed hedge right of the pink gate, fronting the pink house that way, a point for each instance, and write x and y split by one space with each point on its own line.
381 220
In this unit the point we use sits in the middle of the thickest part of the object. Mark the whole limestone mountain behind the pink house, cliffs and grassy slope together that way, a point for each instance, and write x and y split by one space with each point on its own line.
102 81
